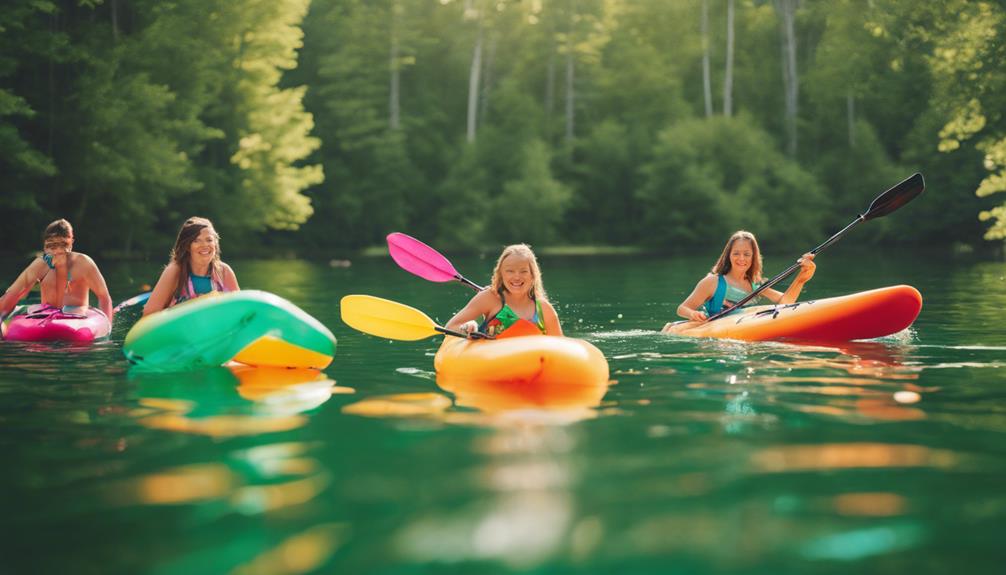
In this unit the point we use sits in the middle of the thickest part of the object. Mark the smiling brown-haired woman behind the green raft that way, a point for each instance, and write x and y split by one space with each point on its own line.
195 268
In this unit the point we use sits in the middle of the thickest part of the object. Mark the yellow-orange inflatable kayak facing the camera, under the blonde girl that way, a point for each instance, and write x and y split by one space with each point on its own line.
523 372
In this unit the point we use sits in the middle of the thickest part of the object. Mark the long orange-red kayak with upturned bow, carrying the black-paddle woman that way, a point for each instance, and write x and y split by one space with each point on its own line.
862 316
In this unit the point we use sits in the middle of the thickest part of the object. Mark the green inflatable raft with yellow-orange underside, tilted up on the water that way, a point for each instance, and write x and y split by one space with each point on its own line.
249 327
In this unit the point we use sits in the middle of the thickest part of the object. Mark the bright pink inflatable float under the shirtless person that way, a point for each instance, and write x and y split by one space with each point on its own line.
42 323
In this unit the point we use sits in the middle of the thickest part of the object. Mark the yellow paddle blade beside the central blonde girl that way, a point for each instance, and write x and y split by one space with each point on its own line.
387 319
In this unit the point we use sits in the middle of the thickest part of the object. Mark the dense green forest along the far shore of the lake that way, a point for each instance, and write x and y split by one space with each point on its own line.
471 123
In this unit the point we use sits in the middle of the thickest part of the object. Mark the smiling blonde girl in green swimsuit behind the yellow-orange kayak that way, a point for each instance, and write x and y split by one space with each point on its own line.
517 294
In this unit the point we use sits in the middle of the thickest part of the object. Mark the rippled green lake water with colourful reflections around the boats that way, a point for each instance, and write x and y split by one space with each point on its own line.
704 457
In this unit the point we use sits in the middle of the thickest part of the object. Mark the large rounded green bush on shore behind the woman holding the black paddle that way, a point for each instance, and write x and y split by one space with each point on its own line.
711 177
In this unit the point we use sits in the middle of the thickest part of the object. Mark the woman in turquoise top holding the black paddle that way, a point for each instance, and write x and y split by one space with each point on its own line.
737 274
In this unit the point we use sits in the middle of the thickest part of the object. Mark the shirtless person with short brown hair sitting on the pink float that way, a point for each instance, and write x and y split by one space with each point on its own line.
66 278
